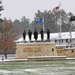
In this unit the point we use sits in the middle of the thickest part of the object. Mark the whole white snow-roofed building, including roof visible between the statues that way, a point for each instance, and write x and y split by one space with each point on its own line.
64 38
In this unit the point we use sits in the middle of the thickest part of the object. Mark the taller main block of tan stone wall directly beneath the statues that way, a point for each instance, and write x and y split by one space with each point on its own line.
25 50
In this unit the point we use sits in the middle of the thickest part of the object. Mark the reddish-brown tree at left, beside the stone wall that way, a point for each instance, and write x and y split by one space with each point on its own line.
8 34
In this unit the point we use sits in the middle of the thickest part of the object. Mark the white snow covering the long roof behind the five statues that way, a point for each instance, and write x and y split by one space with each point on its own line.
53 36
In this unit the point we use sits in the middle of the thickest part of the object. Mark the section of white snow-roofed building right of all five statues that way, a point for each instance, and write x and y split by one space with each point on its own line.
64 38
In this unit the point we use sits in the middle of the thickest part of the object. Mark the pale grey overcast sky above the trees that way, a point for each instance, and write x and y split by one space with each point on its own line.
16 9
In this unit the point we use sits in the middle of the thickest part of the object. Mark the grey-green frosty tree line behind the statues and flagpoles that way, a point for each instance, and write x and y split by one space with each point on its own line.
51 21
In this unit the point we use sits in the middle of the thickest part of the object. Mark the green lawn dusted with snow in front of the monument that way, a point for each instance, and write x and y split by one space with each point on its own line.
65 67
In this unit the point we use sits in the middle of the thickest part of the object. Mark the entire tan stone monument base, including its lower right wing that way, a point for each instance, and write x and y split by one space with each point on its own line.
43 51
